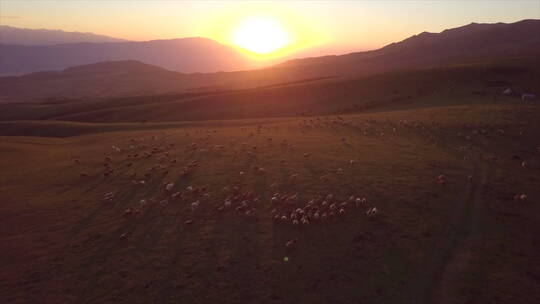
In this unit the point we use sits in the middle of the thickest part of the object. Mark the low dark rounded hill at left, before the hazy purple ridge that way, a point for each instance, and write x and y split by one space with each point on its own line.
104 79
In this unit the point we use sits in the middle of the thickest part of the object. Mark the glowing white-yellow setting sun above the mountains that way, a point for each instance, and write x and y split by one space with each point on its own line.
260 35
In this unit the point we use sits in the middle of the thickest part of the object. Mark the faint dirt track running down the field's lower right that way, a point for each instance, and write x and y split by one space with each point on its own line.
435 282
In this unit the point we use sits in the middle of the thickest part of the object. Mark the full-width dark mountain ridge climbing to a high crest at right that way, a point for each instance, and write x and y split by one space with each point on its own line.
471 43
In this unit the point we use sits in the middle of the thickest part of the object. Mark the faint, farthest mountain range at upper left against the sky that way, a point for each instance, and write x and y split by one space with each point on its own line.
22 36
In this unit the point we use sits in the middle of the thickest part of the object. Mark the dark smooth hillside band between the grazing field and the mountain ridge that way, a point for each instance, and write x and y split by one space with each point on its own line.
451 85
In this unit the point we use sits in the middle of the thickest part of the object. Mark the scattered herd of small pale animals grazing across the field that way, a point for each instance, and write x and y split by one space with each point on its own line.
172 162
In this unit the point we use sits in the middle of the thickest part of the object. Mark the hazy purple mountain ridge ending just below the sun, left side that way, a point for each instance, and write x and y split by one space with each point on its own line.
185 55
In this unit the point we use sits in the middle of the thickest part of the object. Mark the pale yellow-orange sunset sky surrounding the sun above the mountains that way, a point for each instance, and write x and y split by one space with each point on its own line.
320 26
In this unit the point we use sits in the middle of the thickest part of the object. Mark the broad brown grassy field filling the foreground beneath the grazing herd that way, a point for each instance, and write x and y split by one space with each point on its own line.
104 212
